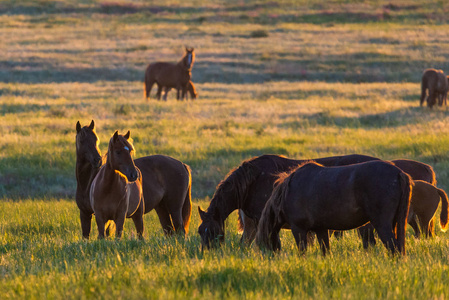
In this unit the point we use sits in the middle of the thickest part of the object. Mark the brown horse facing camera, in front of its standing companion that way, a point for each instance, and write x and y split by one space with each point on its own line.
116 191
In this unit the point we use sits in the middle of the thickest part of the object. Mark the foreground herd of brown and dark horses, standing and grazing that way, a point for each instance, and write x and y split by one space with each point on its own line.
321 196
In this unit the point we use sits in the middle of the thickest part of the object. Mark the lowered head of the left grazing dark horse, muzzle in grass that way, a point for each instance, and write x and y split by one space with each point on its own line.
210 230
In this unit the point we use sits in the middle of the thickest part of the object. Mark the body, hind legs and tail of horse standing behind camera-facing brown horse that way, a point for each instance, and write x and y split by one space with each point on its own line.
167 185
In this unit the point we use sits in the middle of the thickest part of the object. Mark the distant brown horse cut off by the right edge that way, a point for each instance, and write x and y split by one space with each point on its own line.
438 85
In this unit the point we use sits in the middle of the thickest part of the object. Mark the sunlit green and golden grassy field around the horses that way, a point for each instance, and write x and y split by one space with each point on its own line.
303 79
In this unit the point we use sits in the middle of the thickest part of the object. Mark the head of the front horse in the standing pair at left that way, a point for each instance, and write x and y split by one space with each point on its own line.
120 152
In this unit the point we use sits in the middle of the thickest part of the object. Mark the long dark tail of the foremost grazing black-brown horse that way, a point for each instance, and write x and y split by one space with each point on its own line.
402 212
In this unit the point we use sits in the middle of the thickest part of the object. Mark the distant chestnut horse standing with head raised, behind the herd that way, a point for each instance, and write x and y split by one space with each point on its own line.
170 75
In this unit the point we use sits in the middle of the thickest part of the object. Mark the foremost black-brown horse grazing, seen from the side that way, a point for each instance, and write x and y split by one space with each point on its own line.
317 198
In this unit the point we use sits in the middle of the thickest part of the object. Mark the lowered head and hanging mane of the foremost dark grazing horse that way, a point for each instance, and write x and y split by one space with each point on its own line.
265 238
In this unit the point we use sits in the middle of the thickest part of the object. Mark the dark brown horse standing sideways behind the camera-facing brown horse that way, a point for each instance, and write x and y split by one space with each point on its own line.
166 184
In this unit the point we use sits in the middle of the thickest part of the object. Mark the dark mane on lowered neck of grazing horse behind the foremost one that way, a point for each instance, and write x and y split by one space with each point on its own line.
235 183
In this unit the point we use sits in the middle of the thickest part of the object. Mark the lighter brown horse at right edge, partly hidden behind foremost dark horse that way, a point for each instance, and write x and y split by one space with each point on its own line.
425 200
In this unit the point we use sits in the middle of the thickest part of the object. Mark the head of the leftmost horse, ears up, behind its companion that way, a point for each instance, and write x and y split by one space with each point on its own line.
87 144
